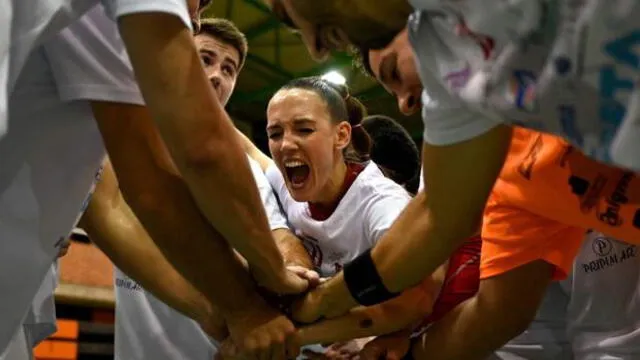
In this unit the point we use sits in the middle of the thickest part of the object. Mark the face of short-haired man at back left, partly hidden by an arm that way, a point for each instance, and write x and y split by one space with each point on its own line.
221 63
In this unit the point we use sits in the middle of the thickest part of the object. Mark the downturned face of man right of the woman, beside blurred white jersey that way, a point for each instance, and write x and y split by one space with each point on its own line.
395 68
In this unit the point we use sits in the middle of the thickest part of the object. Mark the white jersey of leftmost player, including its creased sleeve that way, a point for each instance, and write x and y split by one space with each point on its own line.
48 160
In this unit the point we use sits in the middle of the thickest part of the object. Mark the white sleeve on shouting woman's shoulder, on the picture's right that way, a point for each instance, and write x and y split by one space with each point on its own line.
382 213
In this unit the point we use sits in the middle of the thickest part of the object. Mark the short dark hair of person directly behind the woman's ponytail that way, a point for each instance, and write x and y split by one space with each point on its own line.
394 150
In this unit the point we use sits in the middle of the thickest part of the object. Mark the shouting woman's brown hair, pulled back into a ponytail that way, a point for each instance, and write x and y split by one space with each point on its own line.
342 106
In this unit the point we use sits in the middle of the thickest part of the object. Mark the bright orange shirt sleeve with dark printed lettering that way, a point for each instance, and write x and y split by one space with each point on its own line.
548 194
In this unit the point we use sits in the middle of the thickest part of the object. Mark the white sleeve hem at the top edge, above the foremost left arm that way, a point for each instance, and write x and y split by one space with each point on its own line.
118 8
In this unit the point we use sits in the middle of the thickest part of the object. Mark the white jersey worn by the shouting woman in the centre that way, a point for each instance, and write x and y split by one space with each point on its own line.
364 214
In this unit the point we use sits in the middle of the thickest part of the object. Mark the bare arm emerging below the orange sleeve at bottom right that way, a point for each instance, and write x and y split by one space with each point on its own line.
503 308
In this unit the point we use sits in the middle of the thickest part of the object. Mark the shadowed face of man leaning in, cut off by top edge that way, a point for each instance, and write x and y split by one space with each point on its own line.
327 25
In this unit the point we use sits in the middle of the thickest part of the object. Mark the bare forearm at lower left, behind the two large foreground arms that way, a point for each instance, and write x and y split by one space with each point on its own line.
113 227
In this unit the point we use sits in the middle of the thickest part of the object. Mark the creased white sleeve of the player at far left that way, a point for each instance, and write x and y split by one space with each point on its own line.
89 62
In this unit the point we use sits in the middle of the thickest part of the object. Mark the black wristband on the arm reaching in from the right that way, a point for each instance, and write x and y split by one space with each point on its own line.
364 282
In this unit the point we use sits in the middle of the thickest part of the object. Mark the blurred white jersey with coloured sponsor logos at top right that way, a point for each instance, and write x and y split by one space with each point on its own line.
566 67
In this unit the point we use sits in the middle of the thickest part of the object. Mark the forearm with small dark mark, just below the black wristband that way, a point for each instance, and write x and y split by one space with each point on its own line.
405 311
